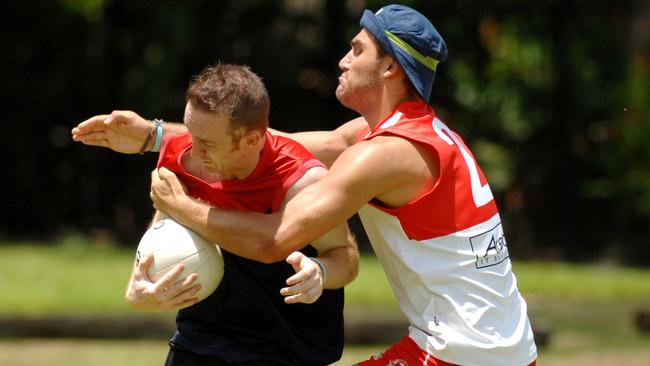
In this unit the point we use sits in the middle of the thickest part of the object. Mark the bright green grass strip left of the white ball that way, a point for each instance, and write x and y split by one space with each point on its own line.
63 279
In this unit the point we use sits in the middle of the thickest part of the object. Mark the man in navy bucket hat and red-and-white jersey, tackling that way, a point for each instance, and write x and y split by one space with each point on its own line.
424 202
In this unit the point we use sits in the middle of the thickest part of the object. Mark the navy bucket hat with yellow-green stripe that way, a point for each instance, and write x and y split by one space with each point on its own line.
411 39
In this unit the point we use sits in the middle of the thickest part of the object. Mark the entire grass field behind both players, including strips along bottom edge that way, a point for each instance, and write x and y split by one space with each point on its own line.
588 309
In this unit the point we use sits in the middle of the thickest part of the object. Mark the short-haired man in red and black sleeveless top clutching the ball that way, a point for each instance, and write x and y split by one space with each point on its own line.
262 313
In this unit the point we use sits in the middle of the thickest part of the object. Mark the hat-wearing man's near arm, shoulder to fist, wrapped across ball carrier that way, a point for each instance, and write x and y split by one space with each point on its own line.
390 169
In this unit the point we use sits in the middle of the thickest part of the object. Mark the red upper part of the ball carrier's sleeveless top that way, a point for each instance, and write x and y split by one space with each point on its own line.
282 162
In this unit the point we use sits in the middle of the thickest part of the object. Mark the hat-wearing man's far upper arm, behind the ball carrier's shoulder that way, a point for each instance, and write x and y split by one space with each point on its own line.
328 145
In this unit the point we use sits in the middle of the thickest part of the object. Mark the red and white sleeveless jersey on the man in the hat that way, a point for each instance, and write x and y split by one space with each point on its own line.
446 256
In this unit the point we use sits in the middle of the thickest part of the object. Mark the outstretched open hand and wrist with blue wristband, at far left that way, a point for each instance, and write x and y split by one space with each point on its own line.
122 131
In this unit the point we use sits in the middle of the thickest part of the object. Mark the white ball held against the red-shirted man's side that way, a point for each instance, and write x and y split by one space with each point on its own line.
172 243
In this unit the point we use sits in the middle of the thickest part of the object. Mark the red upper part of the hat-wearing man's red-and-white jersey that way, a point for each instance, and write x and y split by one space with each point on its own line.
449 206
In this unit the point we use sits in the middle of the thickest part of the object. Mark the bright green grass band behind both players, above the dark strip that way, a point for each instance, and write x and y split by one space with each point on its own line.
74 277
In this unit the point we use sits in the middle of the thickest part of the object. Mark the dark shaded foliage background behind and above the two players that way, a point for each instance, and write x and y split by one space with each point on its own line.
552 97
